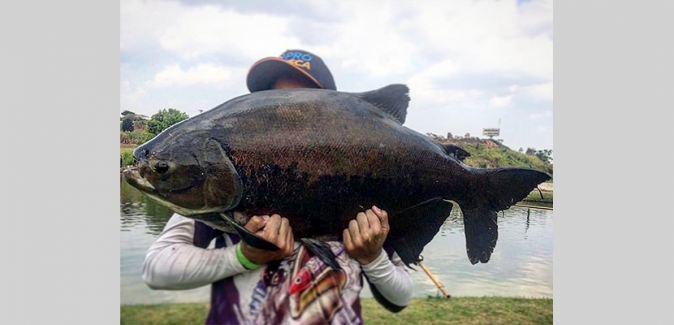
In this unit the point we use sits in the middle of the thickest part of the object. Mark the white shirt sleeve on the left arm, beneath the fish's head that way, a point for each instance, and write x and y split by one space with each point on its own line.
173 262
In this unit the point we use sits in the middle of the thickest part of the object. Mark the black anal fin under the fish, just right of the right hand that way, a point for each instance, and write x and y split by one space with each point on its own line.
410 234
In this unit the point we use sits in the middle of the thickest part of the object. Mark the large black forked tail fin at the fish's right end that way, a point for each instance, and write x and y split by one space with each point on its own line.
495 190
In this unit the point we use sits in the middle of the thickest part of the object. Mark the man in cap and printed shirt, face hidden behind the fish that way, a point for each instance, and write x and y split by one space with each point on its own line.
290 285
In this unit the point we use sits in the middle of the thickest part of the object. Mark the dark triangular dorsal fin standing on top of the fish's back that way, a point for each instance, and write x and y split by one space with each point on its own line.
392 99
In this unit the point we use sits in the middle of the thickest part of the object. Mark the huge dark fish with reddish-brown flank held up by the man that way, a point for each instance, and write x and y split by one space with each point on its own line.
318 157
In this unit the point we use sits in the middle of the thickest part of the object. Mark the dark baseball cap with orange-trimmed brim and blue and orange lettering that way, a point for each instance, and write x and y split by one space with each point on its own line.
263 73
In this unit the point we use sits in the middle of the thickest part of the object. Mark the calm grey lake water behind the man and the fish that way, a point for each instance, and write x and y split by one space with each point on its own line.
521 265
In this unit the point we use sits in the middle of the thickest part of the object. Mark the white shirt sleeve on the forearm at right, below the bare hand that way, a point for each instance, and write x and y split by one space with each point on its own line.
390 279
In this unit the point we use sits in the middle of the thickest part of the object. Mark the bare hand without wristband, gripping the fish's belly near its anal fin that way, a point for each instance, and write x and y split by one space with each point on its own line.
364 238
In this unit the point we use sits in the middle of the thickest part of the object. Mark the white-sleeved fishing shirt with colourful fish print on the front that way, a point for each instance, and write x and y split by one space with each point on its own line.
309 290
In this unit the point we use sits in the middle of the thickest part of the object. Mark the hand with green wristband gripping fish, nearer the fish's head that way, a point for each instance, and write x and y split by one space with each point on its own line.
275 230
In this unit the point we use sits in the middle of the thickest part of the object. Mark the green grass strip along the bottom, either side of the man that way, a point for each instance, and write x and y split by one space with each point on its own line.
457 310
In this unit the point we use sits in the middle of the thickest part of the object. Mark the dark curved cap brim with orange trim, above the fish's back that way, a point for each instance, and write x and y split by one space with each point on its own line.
264 72
